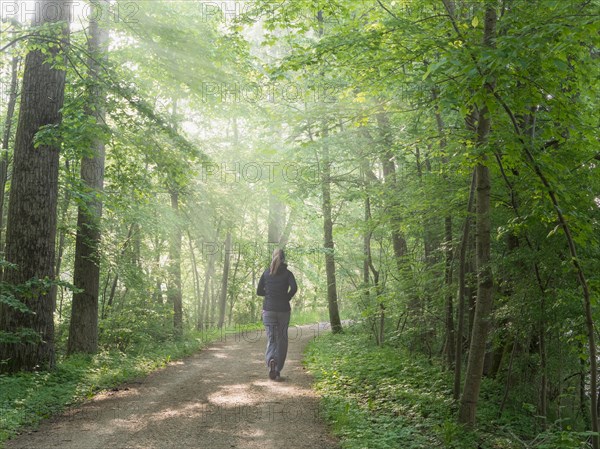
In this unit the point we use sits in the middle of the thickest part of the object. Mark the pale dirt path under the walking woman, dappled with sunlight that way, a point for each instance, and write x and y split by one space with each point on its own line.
218 398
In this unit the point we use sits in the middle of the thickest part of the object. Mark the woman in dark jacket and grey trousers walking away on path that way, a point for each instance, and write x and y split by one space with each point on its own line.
278 286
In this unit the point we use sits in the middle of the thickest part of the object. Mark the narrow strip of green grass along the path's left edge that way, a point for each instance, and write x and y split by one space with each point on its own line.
27 398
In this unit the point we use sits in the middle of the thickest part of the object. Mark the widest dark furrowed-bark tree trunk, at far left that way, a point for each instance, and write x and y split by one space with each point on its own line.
31 226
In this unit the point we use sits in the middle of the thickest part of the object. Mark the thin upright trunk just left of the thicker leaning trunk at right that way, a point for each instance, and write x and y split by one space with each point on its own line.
462 269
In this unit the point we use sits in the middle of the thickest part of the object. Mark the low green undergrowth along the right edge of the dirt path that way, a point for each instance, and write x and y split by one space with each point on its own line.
383 397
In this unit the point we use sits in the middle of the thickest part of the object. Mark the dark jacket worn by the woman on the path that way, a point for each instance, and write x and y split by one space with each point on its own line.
278 289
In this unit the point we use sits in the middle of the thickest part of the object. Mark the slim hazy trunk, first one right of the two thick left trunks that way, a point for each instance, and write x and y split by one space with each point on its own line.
174 289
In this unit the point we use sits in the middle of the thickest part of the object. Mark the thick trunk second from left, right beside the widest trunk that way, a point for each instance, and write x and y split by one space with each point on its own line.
83 329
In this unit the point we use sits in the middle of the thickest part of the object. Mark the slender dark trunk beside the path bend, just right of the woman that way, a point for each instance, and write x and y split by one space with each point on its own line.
332 300
